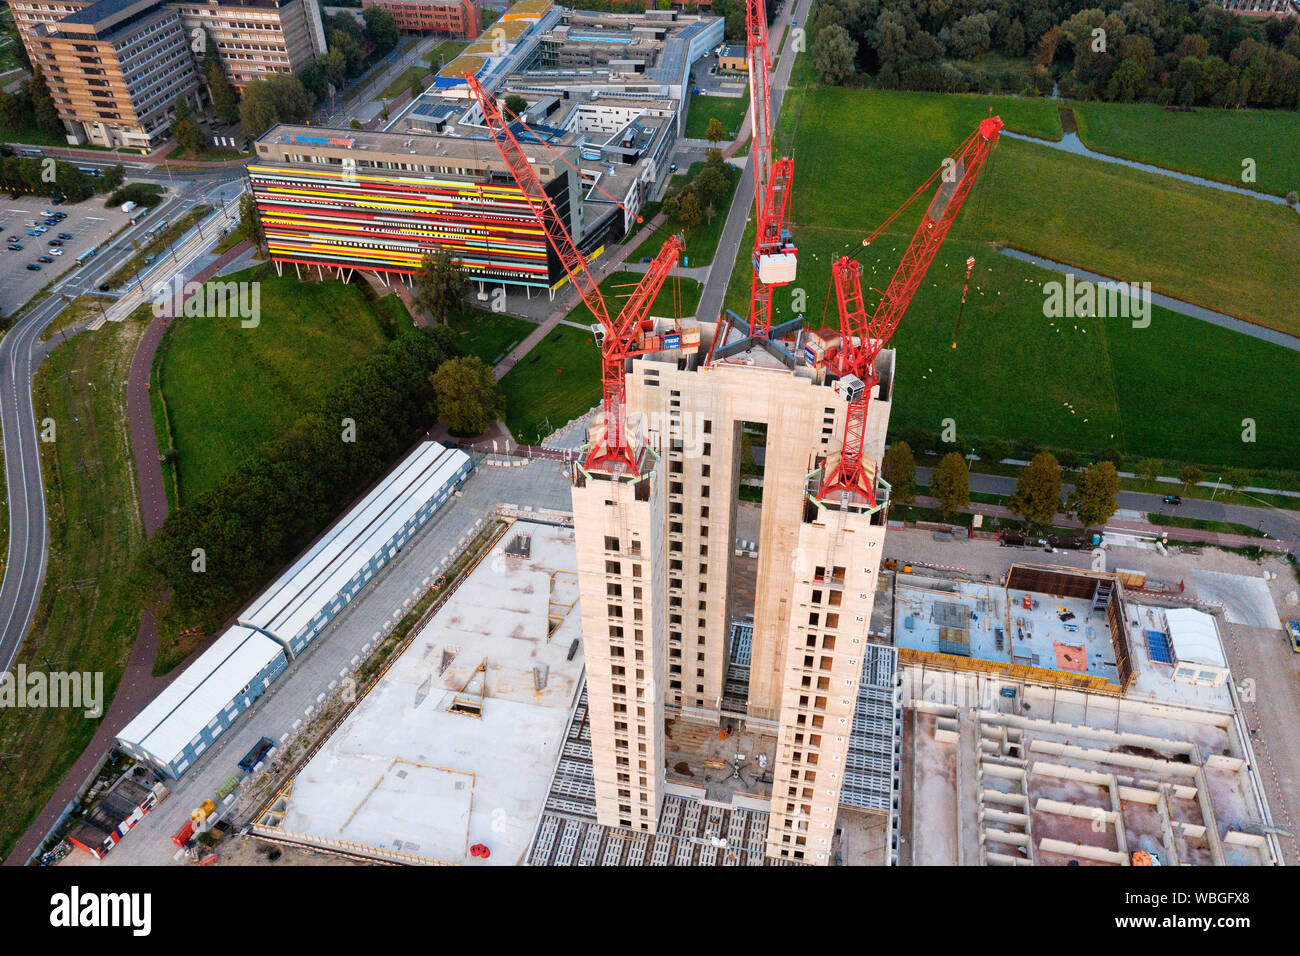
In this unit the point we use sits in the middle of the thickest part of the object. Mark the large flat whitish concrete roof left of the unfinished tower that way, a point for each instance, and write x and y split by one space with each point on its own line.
408 778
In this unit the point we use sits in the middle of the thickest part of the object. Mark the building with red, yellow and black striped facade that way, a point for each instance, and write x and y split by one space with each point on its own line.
382 201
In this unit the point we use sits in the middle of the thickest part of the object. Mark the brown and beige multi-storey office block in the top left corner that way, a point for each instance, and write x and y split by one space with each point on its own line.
115 68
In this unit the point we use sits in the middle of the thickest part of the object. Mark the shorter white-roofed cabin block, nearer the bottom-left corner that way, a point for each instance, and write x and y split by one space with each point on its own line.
203 702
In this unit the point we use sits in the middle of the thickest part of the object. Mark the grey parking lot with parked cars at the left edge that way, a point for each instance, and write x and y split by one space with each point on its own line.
89 224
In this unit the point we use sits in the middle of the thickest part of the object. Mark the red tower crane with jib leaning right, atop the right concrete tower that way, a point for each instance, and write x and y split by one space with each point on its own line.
863 338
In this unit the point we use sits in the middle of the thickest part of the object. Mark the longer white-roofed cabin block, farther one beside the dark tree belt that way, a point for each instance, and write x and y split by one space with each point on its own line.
298 607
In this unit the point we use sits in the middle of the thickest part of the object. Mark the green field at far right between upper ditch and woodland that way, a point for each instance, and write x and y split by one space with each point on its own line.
1211 144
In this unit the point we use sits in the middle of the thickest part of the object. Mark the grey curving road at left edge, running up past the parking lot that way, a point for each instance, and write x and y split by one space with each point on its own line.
20 354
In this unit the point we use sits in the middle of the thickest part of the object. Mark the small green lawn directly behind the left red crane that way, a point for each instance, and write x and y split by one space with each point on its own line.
565 382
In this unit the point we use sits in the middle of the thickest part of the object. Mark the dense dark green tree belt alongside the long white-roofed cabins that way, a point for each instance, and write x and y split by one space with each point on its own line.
216 552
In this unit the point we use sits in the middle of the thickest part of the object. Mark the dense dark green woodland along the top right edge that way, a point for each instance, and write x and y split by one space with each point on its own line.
1175 53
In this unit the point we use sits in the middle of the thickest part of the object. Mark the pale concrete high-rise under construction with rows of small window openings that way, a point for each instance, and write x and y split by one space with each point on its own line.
656 555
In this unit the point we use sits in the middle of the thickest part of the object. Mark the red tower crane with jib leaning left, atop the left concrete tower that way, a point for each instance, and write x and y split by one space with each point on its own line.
619 339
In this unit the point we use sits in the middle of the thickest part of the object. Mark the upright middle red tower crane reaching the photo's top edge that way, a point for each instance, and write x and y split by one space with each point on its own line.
775 257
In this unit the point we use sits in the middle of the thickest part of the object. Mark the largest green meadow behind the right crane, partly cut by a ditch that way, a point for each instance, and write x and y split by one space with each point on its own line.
1013 373
